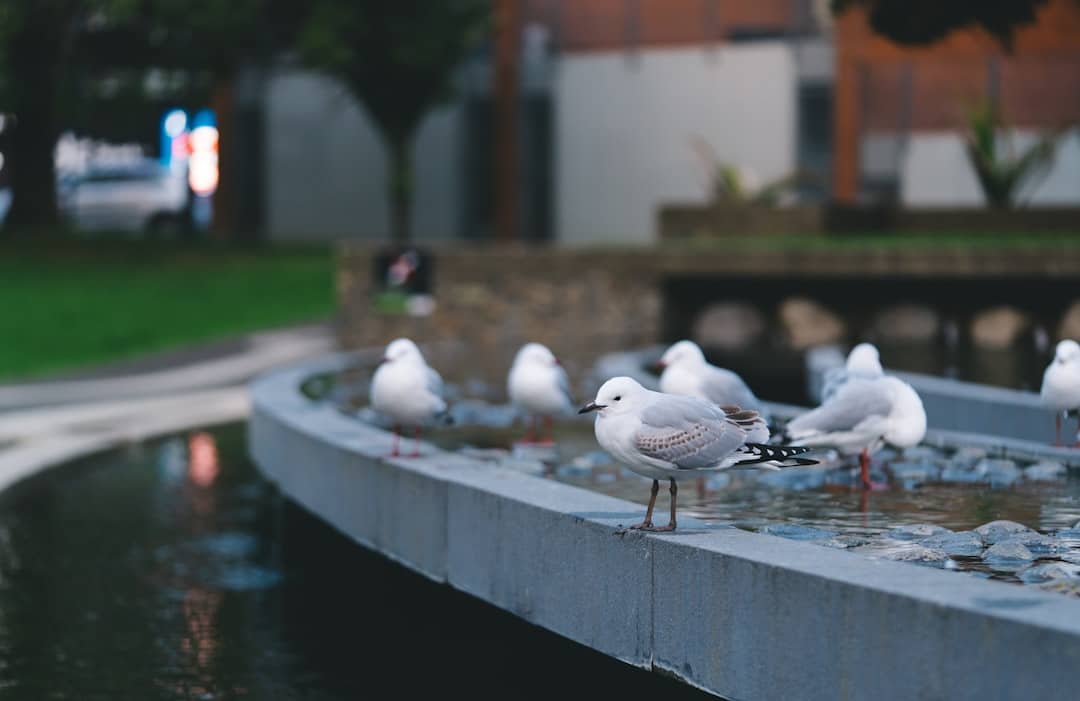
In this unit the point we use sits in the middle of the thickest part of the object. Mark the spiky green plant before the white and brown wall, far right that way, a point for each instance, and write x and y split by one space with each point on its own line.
1002 173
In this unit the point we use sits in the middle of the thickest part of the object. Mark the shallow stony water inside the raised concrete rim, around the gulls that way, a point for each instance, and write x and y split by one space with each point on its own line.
958 491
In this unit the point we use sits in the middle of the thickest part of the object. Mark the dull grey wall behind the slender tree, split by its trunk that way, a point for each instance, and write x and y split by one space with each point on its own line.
326 167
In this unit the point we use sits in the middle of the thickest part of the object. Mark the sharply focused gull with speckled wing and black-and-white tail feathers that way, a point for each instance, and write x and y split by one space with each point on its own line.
668 437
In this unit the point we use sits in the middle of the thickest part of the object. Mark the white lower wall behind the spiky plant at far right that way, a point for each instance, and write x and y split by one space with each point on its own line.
936 173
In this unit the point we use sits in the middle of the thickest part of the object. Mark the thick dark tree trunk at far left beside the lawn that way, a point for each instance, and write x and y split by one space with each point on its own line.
35 58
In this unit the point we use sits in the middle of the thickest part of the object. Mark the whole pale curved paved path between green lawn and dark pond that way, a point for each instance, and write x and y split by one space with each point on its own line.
50 423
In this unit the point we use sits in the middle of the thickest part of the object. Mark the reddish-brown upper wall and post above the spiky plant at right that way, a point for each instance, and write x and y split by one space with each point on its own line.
883 86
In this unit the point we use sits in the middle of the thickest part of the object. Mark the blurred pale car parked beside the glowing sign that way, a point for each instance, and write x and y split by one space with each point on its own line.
143 197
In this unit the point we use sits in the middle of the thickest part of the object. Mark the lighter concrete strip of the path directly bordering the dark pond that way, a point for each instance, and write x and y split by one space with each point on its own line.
76 433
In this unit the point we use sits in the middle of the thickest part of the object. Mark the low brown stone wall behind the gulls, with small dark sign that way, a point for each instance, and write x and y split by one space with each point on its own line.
493 301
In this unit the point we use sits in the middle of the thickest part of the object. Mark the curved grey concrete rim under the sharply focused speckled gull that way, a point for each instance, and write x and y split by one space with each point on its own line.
741 615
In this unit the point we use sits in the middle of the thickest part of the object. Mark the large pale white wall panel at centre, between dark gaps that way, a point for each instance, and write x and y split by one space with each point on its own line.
625 125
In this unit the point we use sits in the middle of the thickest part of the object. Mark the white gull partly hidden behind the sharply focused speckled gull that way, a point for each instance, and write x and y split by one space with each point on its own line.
686 372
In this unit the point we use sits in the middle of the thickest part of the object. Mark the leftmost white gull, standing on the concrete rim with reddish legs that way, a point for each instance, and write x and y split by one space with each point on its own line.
406 389
